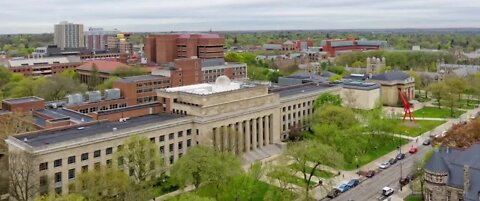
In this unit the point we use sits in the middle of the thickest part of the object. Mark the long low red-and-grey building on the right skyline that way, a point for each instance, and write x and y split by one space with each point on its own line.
337 47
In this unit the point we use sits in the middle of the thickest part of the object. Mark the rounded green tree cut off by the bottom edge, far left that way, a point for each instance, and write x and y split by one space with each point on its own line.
104 183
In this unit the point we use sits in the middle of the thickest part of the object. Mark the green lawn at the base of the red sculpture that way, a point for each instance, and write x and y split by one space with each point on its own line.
421 127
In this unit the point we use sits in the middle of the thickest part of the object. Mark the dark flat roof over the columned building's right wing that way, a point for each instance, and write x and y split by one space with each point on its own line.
300 89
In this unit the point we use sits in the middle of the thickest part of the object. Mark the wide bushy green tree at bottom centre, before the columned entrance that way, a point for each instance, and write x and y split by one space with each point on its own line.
203 165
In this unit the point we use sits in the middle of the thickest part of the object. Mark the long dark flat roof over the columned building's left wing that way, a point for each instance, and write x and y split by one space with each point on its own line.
82 131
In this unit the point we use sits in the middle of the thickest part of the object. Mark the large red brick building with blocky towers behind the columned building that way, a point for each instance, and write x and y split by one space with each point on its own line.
163 49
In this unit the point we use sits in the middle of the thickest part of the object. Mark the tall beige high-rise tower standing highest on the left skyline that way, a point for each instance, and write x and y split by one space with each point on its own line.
68 35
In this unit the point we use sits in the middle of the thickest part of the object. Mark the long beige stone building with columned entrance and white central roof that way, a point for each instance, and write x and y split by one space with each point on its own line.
250 120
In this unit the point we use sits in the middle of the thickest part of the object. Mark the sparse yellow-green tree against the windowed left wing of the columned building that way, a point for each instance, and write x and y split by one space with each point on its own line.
141 158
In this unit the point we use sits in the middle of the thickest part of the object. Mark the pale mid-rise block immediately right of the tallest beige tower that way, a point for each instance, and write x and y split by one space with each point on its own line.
97 39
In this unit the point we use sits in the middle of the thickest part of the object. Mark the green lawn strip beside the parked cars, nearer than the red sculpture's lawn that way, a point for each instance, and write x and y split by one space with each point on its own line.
389 145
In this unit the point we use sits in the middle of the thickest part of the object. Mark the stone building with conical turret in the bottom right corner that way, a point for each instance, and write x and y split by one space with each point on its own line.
453 174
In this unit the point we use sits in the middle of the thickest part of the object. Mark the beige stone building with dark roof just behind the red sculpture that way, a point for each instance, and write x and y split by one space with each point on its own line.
392 83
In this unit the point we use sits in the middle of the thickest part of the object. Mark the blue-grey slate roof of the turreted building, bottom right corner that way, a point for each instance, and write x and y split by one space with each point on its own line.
454 160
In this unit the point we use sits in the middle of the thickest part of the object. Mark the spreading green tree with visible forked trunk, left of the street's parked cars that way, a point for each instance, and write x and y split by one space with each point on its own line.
310 155
